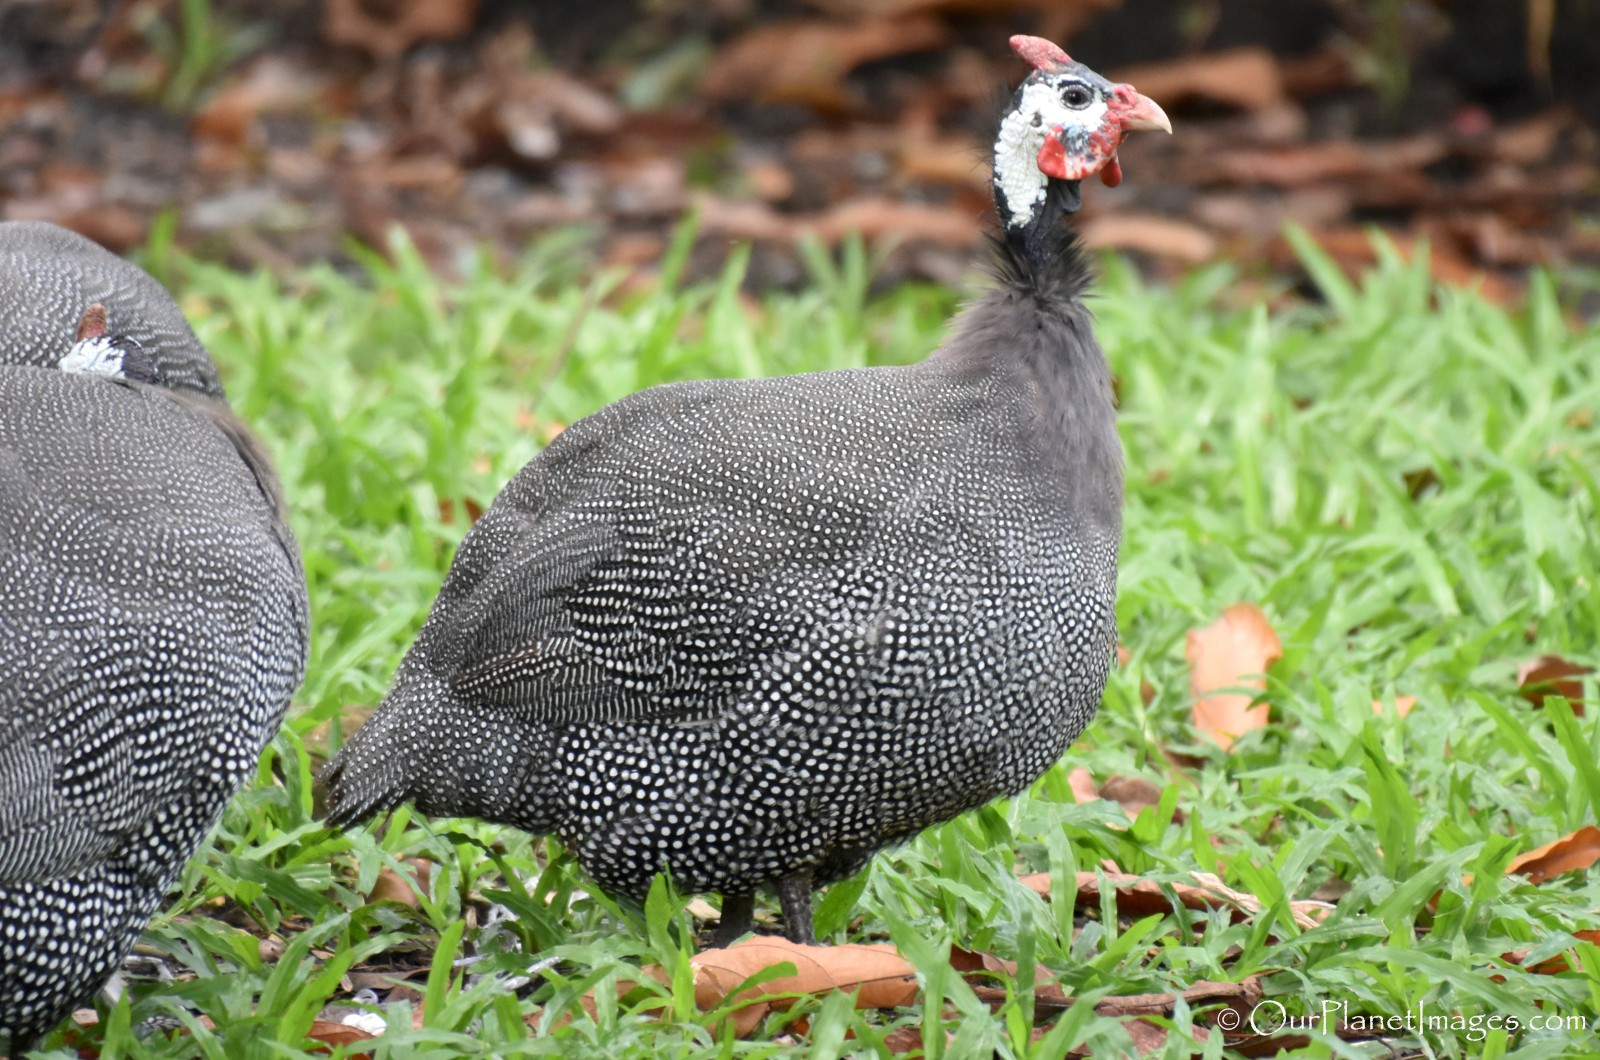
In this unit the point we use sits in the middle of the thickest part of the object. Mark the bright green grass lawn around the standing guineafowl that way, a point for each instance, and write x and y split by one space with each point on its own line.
1268 459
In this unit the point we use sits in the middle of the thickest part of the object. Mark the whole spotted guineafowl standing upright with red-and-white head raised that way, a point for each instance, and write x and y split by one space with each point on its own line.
753 632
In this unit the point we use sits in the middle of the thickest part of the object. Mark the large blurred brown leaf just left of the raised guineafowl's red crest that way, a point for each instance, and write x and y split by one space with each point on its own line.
807 62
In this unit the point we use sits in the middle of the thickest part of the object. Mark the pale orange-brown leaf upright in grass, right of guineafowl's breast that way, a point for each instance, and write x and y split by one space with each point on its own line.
1222 656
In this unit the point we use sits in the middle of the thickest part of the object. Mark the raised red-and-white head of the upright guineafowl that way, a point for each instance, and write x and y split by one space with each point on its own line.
1063 124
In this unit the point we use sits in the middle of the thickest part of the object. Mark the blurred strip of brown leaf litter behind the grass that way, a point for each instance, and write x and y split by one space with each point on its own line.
278 132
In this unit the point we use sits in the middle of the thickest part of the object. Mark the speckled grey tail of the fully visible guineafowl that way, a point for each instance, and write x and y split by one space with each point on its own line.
450 758
